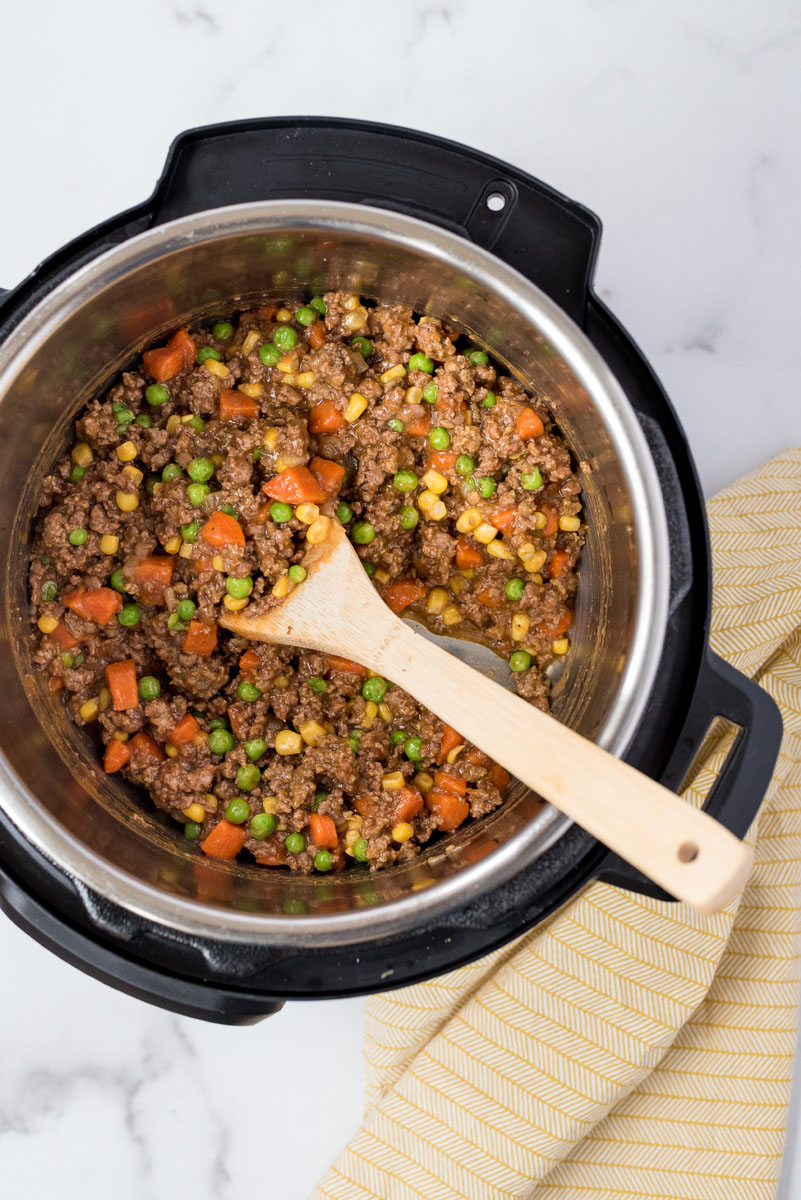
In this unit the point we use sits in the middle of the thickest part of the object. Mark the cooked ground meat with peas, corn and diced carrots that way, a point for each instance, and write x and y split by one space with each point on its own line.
197 485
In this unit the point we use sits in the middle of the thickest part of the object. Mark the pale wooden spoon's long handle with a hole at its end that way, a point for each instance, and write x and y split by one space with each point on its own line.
682 849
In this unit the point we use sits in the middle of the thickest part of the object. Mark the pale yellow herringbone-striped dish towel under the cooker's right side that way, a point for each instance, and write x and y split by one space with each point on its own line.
629 1048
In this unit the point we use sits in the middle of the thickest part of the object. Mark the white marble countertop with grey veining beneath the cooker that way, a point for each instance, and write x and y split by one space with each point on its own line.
679 124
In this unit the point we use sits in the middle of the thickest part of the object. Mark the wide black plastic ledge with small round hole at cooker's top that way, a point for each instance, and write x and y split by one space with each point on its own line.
551 239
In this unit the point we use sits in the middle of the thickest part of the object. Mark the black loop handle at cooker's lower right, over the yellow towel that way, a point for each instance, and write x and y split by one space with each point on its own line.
736 796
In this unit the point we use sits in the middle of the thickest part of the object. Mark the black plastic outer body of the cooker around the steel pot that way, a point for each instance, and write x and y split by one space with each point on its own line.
553 242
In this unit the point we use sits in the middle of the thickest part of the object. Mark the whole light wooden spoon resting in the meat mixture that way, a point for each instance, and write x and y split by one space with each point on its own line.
336 610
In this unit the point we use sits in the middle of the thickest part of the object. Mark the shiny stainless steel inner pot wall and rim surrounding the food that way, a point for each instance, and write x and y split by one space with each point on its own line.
71 346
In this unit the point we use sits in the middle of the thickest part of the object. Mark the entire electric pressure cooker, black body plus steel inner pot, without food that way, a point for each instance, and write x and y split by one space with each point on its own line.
282 208
